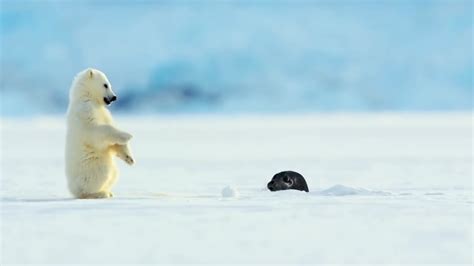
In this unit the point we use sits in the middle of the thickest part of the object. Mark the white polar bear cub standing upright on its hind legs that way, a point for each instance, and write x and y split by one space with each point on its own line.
92 139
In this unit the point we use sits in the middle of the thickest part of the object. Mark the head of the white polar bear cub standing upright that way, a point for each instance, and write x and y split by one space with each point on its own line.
91 84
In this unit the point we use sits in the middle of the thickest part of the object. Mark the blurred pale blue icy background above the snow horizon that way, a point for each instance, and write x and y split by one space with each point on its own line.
240 57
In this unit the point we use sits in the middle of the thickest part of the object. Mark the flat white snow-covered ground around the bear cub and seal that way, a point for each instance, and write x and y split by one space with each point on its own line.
384 188
